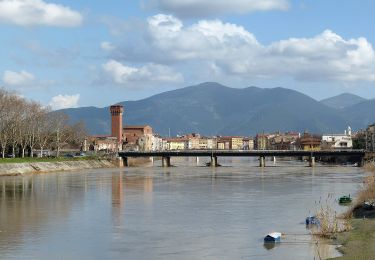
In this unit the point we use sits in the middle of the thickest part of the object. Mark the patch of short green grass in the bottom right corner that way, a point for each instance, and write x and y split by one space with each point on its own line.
359 243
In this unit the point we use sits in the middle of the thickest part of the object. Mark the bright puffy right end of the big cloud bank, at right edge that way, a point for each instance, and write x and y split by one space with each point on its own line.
326 56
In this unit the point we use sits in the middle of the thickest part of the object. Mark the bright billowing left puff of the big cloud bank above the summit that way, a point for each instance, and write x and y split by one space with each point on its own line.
204 39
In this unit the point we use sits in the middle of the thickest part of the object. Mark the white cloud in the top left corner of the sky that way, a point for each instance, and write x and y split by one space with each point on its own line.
38 12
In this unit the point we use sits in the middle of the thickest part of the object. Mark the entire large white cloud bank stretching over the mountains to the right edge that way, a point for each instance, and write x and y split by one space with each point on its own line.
230 50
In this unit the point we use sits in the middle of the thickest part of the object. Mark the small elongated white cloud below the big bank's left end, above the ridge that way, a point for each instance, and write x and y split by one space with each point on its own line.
122 75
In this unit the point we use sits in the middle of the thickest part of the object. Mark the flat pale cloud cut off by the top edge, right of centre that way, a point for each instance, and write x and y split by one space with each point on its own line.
201 8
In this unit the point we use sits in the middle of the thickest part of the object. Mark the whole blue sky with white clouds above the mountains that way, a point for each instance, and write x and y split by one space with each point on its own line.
96 53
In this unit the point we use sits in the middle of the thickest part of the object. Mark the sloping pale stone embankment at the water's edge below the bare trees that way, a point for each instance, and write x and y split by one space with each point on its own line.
41 167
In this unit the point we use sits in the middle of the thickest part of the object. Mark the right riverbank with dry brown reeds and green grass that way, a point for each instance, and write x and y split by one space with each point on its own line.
359 242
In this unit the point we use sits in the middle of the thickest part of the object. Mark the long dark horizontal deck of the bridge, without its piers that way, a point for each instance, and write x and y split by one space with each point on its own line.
242 153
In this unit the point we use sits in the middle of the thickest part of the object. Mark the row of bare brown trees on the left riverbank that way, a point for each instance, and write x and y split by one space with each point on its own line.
27 125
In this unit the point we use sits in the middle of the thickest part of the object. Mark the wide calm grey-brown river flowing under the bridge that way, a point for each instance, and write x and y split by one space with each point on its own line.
183 212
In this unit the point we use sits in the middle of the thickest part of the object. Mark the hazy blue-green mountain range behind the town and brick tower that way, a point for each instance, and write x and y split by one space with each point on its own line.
213 109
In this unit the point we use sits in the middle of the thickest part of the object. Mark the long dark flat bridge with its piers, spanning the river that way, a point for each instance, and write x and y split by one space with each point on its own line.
261 154
